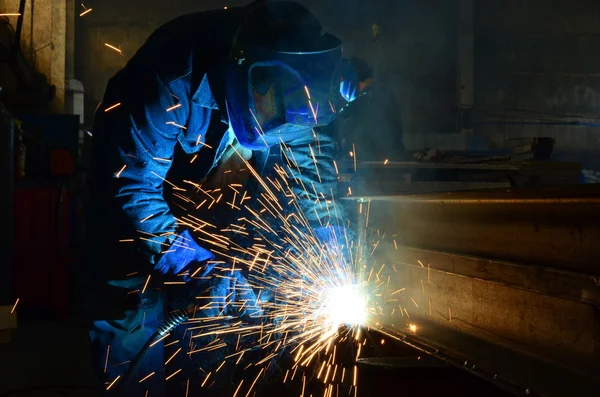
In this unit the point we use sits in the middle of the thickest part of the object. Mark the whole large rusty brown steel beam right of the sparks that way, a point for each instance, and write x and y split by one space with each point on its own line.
507 280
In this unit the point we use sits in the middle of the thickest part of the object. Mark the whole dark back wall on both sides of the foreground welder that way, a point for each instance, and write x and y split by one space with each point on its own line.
529 54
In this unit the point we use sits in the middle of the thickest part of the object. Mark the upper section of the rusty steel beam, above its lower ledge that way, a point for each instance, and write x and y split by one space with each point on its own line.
552 233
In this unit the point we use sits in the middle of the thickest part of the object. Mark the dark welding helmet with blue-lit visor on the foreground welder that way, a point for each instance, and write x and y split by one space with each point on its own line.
283 75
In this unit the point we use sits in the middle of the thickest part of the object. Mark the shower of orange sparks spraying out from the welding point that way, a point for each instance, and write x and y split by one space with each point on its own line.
301 298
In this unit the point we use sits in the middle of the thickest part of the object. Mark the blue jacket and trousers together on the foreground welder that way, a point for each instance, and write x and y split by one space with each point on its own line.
164 121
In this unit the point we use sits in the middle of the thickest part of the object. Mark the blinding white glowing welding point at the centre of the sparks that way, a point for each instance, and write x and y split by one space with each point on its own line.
346 305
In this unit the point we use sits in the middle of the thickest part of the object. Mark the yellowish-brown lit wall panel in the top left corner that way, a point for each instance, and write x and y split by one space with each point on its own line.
44 40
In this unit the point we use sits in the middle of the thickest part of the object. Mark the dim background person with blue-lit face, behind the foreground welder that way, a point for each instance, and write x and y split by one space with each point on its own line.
371 123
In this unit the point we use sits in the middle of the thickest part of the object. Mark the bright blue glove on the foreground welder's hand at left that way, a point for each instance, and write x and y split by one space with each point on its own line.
184 253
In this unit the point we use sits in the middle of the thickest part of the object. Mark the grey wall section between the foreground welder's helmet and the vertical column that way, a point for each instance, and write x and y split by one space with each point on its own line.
415 56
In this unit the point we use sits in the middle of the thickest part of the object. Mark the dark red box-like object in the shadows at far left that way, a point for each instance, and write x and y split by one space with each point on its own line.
42 249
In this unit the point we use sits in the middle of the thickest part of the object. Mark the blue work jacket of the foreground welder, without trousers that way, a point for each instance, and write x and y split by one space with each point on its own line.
162 109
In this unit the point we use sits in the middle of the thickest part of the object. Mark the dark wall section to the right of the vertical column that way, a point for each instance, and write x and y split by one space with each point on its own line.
541 58
